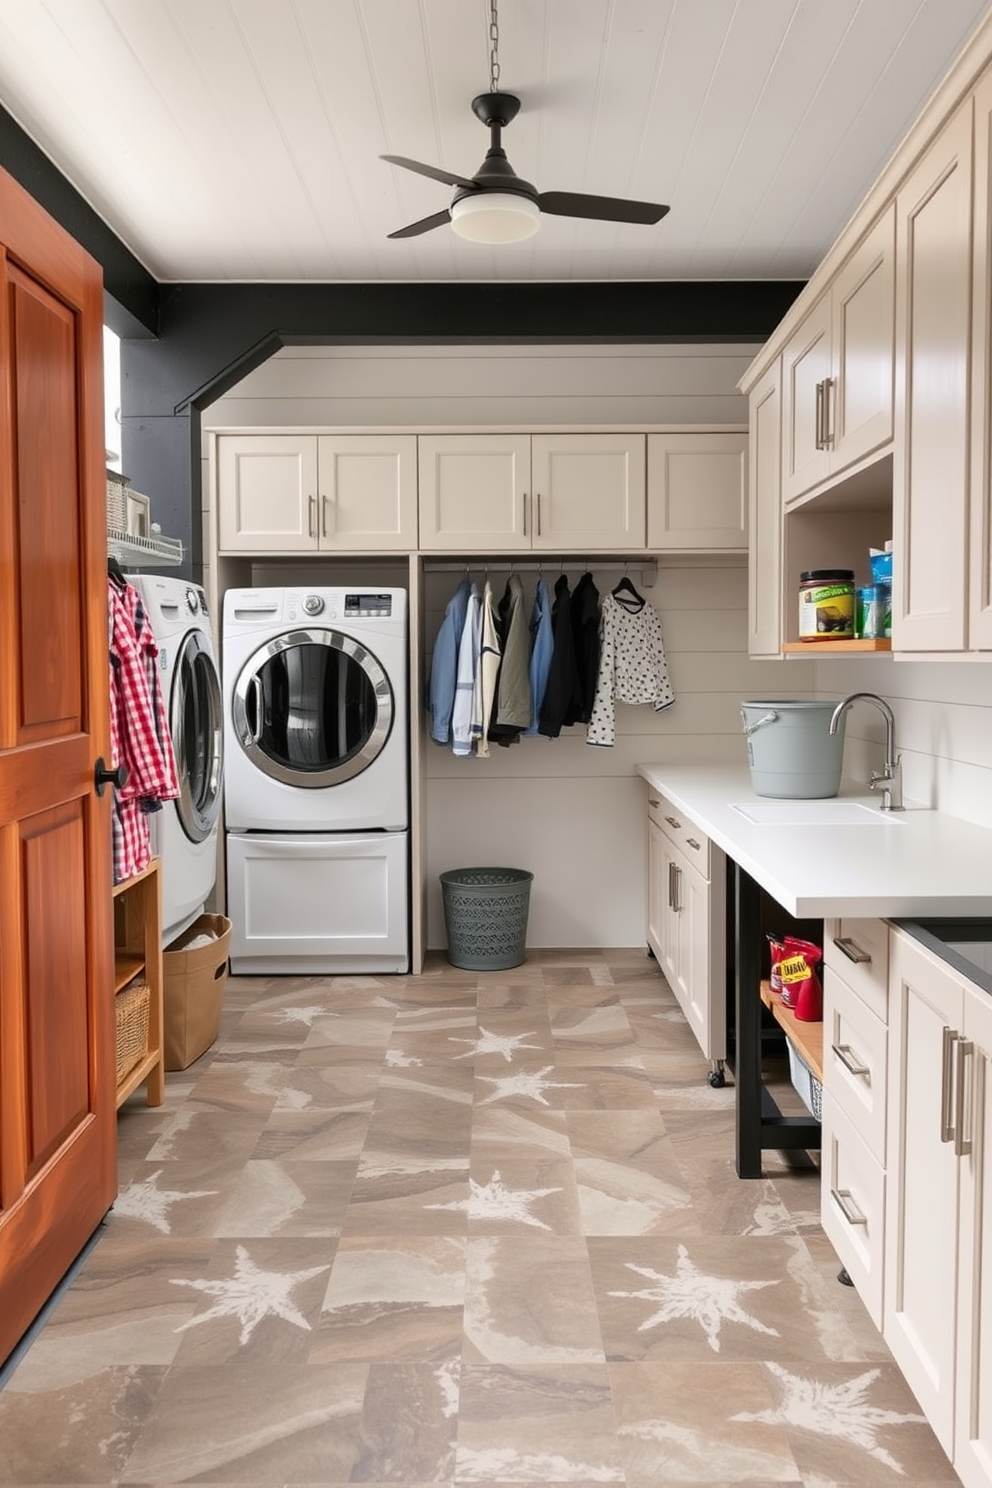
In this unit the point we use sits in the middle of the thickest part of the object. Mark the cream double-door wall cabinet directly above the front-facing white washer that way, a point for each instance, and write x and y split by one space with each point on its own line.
316 493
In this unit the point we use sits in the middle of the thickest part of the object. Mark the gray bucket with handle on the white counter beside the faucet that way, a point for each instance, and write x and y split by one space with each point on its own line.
792 751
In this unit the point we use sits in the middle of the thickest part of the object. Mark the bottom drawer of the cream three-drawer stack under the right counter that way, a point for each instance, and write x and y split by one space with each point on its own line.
853 1206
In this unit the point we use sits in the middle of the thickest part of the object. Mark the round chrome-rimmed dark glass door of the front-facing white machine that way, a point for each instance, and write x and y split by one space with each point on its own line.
313 709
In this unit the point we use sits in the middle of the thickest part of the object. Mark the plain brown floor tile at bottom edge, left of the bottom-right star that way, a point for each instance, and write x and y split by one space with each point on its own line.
697 1423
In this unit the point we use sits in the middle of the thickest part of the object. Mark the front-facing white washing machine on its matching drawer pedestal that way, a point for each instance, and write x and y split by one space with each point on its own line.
318 780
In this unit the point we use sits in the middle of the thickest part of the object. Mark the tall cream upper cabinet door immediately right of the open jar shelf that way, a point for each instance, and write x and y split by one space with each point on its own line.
932 455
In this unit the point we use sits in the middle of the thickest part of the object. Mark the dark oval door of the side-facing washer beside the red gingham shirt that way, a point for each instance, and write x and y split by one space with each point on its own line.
197 728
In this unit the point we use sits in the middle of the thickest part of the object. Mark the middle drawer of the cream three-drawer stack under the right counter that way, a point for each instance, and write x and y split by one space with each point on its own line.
856 1062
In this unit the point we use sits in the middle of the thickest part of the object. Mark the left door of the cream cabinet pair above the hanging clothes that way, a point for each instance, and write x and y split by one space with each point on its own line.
474 492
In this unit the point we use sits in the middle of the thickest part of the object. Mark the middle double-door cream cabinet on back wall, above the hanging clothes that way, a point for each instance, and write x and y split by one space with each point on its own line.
505 493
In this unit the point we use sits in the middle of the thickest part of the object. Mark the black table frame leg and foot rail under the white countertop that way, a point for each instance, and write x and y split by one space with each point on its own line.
759 1123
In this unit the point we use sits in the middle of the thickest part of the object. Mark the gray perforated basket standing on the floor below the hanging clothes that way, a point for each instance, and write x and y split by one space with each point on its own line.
486 916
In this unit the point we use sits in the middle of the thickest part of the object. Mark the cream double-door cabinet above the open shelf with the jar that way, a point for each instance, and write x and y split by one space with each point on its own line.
838 370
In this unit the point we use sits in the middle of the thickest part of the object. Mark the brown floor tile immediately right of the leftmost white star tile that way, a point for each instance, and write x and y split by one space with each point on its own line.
288 1199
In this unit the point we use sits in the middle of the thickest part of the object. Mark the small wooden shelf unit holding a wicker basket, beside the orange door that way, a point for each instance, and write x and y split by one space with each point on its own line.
138 938
